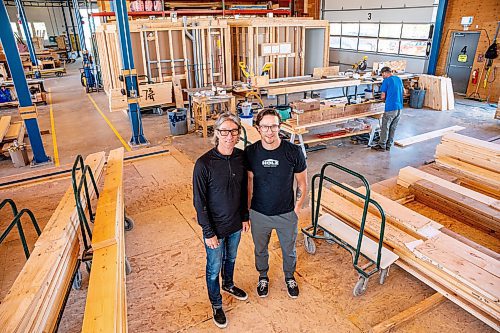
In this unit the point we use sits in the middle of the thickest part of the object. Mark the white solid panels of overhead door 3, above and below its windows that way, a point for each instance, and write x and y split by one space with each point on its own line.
379 11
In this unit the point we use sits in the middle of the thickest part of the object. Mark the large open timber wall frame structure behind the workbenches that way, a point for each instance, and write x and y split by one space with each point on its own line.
201 52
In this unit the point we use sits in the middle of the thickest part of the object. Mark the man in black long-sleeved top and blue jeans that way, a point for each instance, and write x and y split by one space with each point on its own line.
220 199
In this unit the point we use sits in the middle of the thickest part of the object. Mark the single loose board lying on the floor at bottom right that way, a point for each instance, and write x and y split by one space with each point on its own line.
426 305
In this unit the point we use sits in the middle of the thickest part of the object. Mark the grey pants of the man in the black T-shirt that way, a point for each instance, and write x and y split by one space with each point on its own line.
286 229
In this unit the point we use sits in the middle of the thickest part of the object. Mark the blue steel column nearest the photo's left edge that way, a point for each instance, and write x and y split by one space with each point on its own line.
26 108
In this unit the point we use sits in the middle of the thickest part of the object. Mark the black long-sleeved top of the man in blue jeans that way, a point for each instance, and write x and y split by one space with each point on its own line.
220 192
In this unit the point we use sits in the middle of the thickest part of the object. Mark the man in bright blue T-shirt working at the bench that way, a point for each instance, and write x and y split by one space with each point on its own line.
392 94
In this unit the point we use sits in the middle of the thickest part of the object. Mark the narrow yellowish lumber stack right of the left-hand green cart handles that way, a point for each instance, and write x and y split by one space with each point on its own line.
106 307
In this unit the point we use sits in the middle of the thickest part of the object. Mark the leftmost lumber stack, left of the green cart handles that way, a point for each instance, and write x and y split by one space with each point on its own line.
36 297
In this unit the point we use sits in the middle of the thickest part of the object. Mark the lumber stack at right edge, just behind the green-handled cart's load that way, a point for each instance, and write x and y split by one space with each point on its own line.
466 205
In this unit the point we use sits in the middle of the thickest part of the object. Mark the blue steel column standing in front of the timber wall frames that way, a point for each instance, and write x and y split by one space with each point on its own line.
129 73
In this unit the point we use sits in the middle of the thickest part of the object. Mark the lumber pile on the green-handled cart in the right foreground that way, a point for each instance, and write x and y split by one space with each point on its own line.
466 276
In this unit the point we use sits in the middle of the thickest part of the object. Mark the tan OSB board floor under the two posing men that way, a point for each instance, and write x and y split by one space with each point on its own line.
166 291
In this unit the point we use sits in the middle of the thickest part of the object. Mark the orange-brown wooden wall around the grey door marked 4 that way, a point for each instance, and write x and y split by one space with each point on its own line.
485 15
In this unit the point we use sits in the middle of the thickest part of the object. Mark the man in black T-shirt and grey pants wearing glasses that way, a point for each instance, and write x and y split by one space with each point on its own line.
273 165
